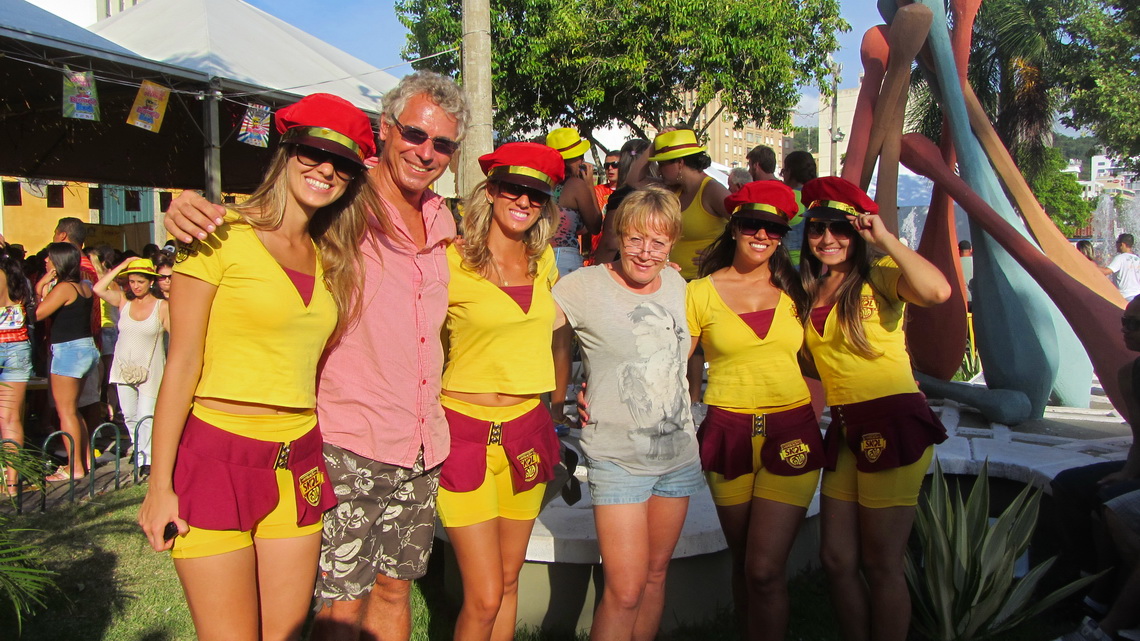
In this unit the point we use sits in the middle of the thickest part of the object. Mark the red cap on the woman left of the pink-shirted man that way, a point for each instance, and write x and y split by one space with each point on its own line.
330 124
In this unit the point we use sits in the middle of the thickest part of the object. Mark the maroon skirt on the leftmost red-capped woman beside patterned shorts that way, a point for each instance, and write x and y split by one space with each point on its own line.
230 482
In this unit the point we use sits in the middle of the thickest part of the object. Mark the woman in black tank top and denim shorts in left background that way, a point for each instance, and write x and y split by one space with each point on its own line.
68 302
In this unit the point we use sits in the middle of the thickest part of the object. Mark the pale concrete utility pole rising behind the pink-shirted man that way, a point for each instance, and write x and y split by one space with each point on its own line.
477 84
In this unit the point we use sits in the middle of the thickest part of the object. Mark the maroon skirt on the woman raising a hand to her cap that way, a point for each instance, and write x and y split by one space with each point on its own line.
884 433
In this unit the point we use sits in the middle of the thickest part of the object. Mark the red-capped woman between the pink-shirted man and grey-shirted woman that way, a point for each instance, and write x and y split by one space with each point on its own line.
499 343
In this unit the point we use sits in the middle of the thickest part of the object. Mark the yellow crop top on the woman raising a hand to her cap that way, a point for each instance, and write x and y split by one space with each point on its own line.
851 378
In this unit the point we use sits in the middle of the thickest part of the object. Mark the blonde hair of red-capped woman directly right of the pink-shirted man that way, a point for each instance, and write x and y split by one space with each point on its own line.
477 224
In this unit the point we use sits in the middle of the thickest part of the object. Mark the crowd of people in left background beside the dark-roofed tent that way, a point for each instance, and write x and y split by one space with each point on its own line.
61 324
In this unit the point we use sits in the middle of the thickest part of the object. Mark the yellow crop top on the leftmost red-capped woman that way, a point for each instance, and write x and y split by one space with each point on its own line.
263 343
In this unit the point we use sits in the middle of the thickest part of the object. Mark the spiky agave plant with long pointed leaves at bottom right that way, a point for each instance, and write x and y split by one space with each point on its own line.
963 585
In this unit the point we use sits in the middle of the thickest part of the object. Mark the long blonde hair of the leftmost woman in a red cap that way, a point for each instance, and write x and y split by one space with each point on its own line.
338 230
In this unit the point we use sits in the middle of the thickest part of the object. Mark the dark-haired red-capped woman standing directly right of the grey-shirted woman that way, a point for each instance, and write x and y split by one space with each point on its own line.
760 443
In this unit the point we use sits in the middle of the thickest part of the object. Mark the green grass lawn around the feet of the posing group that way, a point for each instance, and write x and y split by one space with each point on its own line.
115 588
